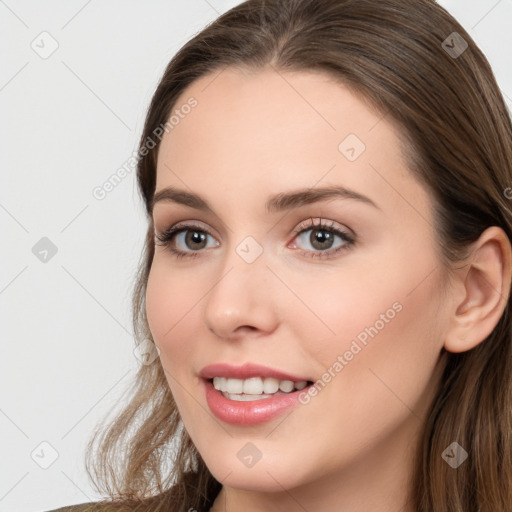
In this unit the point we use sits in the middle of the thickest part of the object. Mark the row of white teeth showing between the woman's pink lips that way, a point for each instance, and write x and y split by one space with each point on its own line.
256 386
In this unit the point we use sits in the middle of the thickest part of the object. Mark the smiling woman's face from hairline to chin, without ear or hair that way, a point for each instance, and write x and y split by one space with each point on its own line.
361 314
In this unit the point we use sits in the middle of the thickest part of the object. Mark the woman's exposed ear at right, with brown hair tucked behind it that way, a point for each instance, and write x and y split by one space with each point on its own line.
482 291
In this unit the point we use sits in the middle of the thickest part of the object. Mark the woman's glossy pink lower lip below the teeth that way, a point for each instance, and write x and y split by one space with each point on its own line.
249 413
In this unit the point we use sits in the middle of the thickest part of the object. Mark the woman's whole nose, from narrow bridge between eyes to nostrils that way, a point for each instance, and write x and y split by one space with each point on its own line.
241 296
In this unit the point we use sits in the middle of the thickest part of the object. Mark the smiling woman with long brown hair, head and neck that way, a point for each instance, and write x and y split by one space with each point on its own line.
327 270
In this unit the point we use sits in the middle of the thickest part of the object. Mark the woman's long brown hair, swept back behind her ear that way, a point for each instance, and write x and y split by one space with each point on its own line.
399 55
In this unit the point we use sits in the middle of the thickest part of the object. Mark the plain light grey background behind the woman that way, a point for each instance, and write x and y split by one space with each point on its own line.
68 122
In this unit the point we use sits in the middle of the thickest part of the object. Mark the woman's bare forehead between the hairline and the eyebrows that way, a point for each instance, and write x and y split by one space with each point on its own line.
271 131
